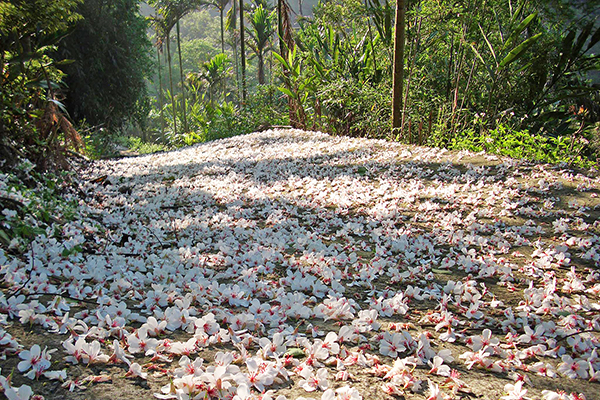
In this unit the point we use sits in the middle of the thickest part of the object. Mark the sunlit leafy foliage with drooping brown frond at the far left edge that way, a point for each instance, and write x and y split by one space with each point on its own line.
32 120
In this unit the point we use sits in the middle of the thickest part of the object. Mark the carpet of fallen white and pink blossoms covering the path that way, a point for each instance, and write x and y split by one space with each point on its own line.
287 265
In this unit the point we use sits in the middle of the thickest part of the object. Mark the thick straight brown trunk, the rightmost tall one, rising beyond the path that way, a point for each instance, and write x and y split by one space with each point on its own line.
398 73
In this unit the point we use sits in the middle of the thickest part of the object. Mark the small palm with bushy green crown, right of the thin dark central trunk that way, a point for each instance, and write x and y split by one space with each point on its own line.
260 34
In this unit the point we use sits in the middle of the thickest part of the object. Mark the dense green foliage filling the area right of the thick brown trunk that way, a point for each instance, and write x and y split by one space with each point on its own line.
473 69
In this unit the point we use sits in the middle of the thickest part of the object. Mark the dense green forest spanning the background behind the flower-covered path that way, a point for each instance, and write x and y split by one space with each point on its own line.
515 77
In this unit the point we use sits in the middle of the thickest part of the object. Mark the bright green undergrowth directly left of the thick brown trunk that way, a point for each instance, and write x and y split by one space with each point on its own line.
336 76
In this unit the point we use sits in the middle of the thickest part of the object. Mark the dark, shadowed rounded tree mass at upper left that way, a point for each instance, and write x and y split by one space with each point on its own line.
111 59
